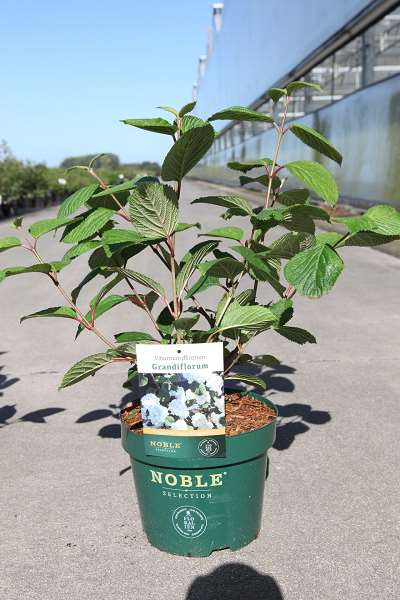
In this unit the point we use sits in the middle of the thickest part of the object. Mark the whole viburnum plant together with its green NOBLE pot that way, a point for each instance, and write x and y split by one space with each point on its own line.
254 275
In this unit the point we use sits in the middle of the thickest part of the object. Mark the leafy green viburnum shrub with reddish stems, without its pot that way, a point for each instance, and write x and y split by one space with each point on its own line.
254 277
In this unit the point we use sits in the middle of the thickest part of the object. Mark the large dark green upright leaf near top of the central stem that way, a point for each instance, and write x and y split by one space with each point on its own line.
187 151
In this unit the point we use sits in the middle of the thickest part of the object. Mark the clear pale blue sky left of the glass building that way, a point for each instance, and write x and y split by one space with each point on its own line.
70 69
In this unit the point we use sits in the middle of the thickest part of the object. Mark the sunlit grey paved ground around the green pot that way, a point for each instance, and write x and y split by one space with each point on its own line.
70 525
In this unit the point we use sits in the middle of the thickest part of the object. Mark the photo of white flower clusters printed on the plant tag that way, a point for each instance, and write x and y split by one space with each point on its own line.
185 401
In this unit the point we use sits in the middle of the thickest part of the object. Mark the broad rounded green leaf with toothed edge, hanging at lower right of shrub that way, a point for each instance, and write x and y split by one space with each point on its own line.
314 272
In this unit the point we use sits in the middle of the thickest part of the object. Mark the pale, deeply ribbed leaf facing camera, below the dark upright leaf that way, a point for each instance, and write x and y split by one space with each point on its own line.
154 210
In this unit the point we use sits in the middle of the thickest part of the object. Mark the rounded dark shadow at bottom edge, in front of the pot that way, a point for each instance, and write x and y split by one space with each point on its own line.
234 581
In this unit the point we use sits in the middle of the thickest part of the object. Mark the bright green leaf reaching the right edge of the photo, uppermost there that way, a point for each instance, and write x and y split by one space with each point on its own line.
381 219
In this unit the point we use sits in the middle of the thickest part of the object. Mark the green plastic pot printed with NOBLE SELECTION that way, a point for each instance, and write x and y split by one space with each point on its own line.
193 506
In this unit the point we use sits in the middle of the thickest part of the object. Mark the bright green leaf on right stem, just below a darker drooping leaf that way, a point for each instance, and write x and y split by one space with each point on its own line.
316 177
